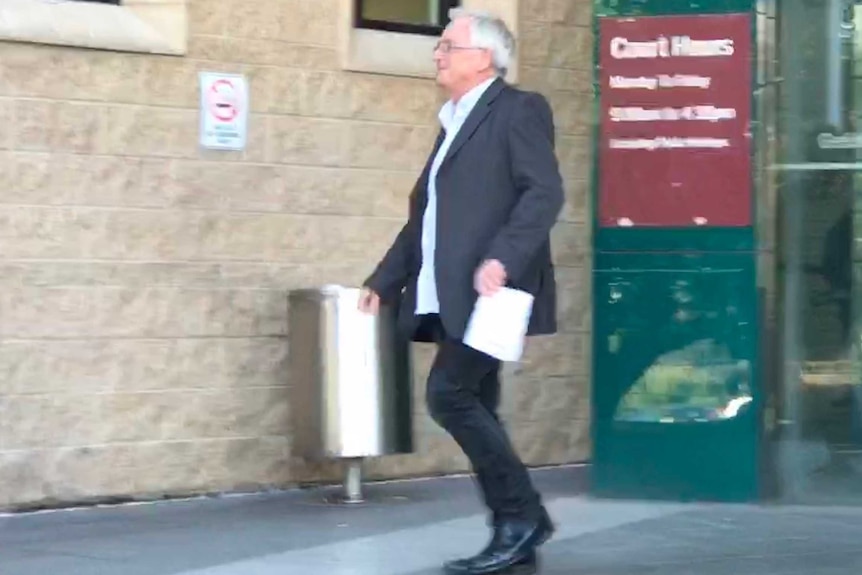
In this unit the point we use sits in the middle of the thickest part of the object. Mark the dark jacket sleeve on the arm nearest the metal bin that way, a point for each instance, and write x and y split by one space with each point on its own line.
391 274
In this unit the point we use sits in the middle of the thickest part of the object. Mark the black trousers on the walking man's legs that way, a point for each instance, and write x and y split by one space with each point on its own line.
463 395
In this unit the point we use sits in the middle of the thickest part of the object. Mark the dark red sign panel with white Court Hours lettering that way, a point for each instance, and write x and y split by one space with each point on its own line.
675 148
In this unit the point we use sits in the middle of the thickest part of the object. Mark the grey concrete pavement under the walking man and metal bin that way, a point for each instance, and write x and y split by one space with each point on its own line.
409 528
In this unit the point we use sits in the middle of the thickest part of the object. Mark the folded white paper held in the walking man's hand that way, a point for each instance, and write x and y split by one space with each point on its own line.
498 324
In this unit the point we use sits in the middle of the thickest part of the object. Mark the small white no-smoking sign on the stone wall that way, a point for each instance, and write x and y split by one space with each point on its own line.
224 111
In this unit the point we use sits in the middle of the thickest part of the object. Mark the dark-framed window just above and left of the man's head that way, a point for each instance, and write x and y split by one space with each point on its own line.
408 16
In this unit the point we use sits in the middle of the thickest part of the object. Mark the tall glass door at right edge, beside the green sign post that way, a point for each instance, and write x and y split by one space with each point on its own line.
819 240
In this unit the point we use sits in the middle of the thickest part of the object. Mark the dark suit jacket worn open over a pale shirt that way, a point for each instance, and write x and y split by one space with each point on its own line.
499 193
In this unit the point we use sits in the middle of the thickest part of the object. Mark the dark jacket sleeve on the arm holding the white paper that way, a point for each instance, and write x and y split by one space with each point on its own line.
537 178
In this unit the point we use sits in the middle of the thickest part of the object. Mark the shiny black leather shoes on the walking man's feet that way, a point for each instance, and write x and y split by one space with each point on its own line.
512 549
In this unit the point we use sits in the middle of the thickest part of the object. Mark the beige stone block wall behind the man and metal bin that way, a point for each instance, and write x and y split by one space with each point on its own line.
143 281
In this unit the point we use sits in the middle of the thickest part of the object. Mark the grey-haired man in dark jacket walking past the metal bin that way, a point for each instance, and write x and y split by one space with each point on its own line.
480 219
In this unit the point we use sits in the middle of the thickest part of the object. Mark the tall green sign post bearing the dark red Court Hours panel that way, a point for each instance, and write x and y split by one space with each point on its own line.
676 378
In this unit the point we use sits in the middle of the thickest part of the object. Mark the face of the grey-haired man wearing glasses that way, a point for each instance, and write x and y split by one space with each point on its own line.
458 63
